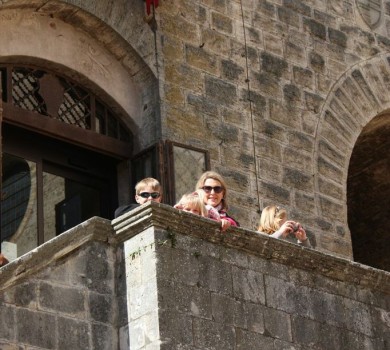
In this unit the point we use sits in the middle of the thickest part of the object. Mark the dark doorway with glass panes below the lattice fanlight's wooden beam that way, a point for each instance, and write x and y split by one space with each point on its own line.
58 185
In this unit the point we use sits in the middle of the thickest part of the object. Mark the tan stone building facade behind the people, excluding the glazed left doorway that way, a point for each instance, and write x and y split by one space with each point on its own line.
288 98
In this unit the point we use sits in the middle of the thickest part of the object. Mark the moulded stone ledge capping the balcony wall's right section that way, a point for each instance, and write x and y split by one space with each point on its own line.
252 242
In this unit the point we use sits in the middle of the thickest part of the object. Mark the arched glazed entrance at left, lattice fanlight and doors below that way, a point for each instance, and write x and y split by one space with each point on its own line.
61 145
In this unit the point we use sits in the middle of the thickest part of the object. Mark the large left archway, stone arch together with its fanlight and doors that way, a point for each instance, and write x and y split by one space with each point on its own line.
75 166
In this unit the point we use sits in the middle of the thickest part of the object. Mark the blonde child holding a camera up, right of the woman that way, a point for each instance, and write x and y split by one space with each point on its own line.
273 221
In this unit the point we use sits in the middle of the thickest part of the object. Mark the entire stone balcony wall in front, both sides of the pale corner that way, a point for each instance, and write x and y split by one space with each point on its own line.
179 283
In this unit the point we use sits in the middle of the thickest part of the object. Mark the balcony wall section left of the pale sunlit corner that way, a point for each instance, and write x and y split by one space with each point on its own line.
66 294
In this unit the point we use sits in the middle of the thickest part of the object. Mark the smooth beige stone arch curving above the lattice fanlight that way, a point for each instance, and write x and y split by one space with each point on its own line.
70 40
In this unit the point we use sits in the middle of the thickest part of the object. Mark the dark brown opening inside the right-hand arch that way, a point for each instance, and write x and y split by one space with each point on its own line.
368 194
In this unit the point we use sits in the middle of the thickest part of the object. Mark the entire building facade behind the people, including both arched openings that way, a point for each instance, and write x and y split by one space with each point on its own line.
287 99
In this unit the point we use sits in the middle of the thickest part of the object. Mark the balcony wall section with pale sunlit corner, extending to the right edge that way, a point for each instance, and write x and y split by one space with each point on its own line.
192 287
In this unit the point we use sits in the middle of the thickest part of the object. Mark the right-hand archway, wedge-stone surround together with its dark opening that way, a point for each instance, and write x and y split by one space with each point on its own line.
352 128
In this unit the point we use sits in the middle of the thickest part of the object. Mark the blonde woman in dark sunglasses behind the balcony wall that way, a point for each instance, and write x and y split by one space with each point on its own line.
213 190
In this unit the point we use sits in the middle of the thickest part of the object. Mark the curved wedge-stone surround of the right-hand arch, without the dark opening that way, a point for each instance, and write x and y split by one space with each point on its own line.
358 97
